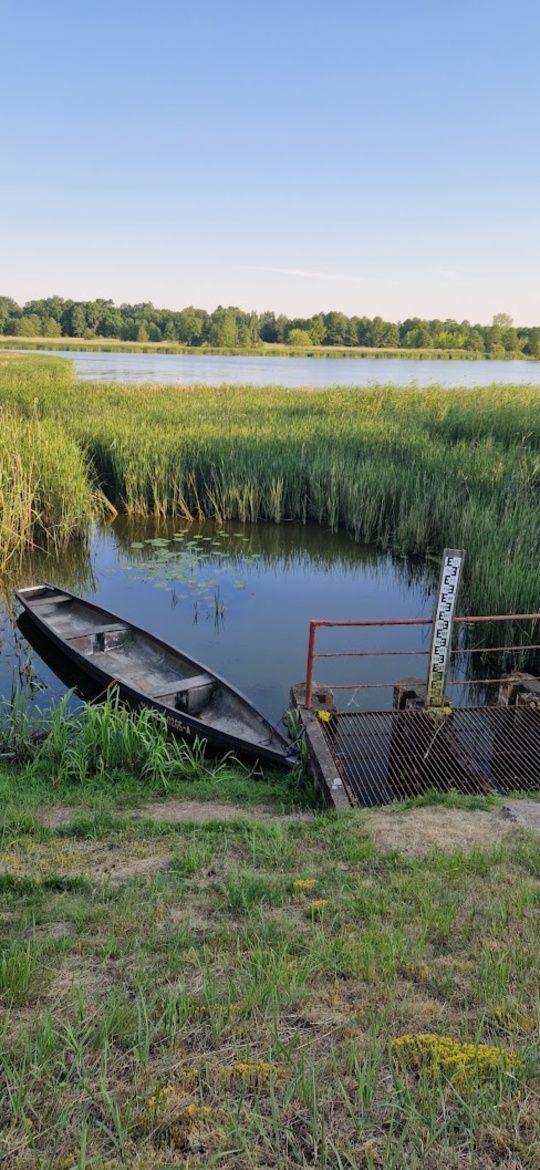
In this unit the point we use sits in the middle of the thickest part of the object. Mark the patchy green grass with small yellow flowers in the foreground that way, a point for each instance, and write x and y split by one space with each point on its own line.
225 990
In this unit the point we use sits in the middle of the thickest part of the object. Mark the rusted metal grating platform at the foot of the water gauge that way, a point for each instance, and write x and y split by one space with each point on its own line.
386 756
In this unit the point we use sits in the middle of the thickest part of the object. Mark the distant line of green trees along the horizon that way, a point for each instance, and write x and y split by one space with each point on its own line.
232 328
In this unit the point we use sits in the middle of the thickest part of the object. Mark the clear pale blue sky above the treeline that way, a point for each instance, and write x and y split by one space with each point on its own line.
371 156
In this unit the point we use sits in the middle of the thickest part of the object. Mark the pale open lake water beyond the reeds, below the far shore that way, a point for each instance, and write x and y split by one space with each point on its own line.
213 370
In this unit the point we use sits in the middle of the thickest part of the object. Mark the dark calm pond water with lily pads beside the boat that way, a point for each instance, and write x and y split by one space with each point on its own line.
239 600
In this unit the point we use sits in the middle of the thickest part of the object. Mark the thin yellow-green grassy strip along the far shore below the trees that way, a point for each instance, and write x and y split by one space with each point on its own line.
278 350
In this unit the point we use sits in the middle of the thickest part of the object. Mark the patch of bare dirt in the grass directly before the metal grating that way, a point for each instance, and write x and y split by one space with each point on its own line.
417 832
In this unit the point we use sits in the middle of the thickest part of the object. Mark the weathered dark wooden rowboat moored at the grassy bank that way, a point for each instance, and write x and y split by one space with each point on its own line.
148 672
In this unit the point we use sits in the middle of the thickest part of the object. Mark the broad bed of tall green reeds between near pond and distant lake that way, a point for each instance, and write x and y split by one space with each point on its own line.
409 470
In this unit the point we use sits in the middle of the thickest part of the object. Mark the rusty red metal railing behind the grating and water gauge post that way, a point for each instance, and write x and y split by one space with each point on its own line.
324 623
